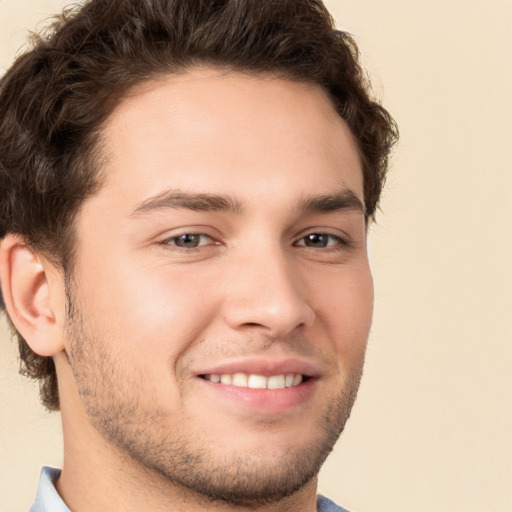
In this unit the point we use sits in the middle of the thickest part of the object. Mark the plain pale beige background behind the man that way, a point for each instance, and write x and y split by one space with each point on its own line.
432 429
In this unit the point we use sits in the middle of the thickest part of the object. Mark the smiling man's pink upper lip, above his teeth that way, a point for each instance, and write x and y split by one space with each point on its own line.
262 366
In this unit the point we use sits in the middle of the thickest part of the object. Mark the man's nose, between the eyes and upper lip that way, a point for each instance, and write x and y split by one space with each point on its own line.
267 293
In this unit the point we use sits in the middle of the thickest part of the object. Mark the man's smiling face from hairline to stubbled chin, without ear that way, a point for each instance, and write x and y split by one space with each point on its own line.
222 296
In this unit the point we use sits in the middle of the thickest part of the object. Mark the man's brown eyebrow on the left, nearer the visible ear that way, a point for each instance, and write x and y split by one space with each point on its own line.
172 199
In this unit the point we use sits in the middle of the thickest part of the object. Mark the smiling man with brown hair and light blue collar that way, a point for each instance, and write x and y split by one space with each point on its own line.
186 188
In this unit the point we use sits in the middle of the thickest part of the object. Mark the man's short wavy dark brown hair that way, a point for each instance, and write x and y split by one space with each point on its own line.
56 97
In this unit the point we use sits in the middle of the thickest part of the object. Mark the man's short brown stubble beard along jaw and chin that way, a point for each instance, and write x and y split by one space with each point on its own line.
183 460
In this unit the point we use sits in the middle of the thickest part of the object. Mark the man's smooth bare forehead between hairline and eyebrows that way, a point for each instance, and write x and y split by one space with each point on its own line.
226 132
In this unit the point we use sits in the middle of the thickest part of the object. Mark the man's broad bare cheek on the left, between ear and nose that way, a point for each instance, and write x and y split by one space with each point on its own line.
140 307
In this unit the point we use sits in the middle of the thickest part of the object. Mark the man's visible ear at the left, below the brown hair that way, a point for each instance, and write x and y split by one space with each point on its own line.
34 295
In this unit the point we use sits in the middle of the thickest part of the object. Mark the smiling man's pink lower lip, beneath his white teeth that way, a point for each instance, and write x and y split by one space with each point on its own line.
269 401
